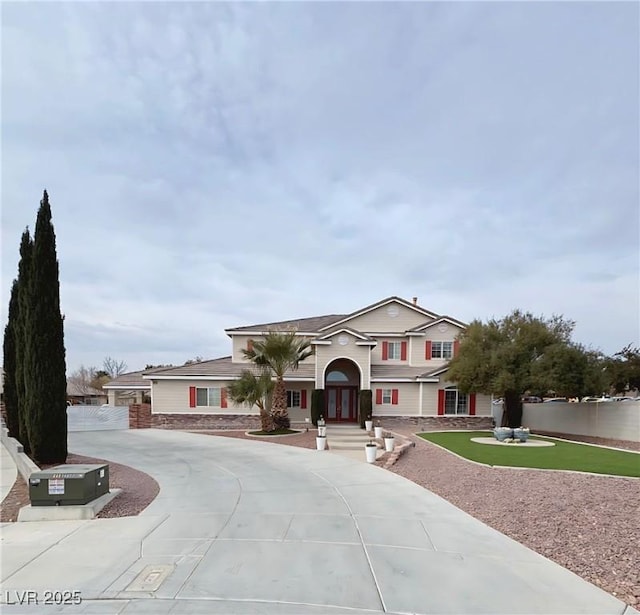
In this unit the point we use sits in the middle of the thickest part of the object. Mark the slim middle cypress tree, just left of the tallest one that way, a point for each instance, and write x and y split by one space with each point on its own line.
22 333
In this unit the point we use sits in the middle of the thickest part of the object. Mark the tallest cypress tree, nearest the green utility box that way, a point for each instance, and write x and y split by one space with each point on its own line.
45 366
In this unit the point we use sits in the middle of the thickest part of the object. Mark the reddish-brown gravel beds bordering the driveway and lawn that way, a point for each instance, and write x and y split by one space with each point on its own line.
589 524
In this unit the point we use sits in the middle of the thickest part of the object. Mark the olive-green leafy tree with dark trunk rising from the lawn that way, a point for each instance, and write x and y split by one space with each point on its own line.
498 357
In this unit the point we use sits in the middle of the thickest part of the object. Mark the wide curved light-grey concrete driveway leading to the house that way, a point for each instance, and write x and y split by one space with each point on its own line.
252 527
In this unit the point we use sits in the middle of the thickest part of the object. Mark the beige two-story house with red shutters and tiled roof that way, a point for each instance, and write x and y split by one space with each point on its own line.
394 347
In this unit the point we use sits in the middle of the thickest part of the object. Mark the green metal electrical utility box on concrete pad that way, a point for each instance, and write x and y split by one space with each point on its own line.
68 485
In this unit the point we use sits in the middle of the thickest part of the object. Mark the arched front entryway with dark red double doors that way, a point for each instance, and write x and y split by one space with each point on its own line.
341 383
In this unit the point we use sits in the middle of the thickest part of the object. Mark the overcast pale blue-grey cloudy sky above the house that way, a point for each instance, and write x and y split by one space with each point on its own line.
218 165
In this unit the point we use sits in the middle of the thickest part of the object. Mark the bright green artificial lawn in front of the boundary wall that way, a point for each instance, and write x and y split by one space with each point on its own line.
562 456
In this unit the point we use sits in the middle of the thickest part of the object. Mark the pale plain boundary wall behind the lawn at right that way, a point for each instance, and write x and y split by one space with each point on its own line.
617 420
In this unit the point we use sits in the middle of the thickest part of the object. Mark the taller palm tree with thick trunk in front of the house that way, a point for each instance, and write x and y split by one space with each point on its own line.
279 351
